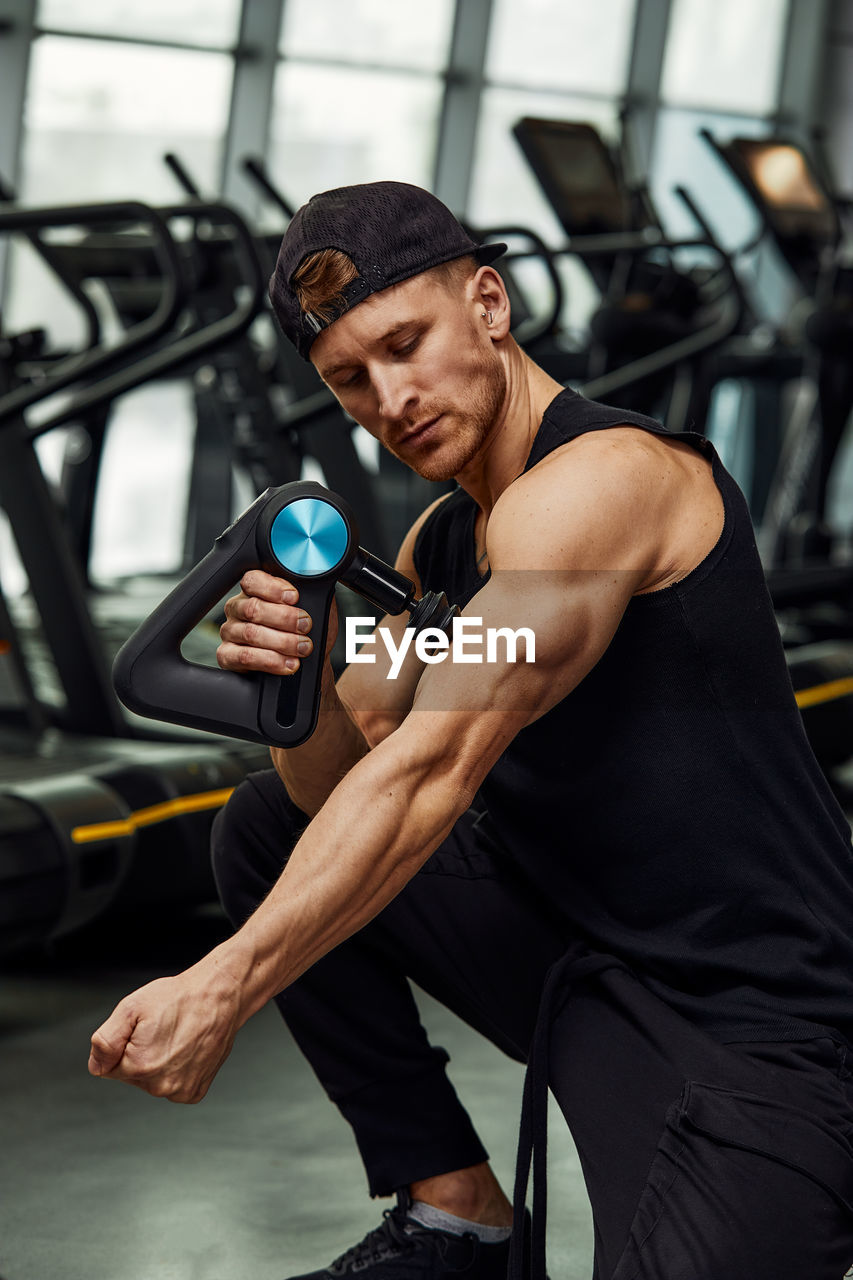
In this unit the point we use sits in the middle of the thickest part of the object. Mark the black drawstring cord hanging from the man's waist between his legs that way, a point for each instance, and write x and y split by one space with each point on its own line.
528 1254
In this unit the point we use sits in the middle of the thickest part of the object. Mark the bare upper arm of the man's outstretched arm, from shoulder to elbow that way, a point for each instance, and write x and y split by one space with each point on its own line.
571 545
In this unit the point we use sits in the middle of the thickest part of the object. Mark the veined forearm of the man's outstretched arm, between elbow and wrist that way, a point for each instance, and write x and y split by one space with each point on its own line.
344 872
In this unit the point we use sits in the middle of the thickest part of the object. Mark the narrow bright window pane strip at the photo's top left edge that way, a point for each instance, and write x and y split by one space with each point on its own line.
212 24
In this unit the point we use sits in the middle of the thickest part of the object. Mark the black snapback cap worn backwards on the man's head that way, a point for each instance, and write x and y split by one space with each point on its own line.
391 231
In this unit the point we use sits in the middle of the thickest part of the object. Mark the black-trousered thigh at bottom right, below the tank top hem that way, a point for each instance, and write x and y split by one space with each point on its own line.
700 1159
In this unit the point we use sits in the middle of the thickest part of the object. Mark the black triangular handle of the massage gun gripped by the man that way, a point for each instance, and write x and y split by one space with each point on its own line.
154 679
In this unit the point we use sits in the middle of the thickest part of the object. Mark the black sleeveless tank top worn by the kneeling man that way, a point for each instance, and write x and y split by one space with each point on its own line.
672 806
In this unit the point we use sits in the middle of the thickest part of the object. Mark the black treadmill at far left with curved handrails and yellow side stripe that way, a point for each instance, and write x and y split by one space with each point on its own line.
99 811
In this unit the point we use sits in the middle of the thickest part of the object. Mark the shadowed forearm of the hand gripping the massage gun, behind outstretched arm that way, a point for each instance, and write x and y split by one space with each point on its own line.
312 772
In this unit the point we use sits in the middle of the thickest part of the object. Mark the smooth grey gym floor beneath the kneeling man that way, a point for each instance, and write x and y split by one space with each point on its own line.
101 1182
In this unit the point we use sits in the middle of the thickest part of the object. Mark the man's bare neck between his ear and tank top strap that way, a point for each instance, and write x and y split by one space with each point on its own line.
505 451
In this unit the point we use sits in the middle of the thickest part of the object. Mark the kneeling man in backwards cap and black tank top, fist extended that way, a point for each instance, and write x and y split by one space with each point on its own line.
651 825
